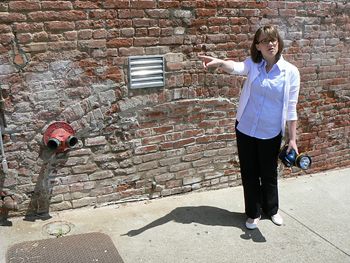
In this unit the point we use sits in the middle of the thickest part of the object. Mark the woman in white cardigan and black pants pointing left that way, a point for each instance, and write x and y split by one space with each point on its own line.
267 103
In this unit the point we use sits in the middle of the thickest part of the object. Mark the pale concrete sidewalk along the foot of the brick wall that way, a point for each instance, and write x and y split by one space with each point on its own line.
209 226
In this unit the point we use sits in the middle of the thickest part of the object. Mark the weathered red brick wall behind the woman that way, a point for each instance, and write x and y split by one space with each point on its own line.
68 61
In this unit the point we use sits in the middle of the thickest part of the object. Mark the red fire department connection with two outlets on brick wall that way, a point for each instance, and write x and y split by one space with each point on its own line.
59 137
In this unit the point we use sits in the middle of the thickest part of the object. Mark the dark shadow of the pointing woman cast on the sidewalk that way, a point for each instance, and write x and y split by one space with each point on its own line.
205 215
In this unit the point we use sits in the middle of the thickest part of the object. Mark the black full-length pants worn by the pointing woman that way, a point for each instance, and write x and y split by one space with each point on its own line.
258 160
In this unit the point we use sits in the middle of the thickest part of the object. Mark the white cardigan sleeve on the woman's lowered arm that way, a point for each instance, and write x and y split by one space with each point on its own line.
293 94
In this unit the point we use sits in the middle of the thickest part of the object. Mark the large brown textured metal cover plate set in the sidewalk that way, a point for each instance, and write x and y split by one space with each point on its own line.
91 247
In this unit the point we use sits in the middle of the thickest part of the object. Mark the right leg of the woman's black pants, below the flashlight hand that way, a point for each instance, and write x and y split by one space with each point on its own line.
268 160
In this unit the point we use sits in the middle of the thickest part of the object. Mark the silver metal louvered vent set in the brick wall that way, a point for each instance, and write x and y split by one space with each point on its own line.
146 72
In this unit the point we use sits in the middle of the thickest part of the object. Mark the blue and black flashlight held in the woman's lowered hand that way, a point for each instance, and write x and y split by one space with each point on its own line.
302 161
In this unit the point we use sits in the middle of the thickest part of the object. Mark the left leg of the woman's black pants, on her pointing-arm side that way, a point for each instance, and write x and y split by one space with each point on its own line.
248 158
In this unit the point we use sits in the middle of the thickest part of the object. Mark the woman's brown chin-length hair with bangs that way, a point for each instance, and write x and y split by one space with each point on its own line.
272 32
